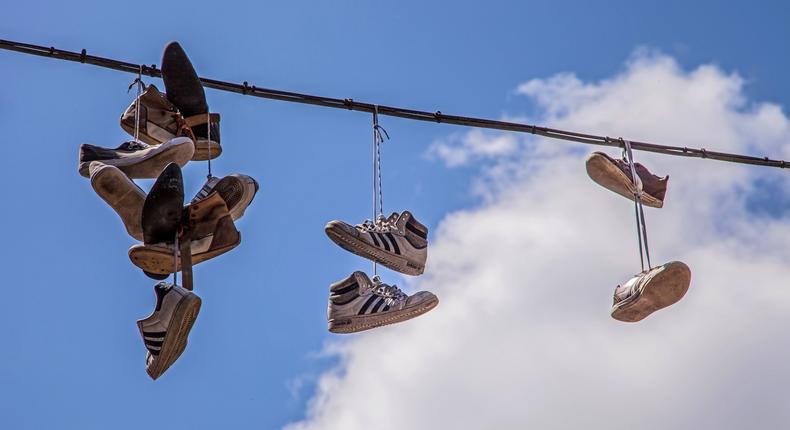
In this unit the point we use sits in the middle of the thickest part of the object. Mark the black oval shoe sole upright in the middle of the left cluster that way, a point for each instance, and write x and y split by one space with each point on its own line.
163 207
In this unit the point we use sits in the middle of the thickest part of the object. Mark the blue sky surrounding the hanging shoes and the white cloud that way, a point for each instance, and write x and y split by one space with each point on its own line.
73 357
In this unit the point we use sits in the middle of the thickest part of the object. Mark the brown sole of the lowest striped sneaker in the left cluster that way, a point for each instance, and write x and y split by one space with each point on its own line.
175 340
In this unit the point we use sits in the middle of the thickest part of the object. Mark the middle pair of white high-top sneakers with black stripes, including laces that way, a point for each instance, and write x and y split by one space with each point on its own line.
398 242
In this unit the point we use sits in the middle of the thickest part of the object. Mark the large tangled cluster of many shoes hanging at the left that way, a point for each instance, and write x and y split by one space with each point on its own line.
169 129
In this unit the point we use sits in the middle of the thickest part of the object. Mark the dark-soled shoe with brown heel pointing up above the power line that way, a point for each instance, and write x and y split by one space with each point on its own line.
184 90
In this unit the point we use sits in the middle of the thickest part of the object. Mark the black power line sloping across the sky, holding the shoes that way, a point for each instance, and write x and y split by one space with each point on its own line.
350 104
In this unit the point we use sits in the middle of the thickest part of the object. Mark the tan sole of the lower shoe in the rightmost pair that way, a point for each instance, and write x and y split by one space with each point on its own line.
664 289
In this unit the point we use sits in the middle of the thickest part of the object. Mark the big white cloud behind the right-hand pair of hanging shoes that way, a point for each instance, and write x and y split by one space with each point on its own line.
522 337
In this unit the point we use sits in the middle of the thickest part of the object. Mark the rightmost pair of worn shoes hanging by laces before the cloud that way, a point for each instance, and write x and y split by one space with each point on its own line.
653 288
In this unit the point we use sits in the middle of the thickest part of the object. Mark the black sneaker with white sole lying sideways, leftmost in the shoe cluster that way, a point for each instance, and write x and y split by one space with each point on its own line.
136 159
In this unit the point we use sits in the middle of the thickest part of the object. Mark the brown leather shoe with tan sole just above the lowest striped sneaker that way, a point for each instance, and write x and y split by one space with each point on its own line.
157 259
